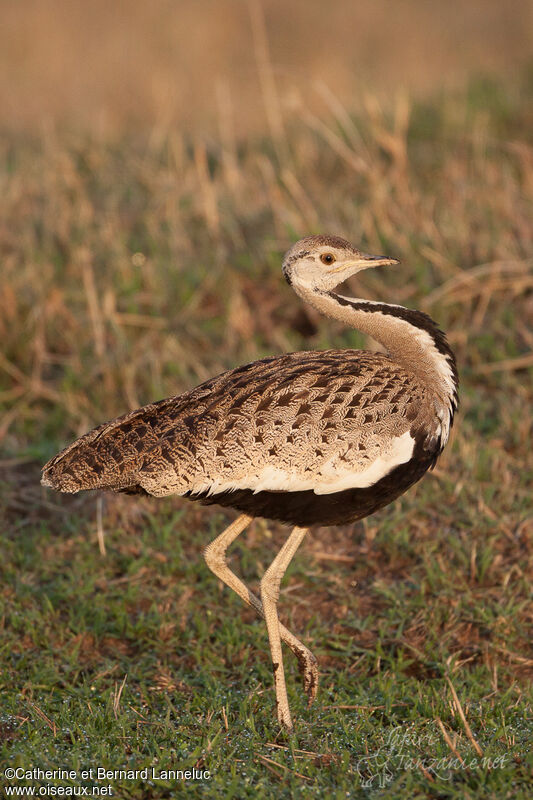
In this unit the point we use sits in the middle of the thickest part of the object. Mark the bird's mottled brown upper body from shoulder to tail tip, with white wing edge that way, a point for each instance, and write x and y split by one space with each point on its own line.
320 422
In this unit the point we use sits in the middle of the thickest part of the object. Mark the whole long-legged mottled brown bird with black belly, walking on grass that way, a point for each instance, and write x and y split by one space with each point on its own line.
310 438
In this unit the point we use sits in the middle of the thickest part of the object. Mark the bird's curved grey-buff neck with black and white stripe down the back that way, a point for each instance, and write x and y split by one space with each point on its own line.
410 337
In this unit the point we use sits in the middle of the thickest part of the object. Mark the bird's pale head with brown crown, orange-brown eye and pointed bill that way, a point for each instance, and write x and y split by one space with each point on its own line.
320 263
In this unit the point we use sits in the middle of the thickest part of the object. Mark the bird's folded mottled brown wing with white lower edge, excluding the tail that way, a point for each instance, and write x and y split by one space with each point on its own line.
325 421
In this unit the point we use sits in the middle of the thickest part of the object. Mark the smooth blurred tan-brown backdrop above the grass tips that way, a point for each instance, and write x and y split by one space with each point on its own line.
135 63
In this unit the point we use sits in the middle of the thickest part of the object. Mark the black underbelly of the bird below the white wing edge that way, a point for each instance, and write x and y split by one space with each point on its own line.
306 508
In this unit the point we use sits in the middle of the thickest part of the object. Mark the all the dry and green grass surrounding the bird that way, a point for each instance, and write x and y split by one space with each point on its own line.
136 266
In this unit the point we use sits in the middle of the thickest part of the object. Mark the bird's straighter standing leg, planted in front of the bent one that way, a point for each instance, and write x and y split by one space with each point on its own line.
270 583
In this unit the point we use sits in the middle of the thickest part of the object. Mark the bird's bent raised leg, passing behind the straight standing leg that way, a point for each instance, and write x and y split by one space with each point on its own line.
215 556
